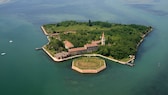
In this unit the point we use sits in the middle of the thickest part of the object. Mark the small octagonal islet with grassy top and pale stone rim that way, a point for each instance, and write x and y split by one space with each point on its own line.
88 64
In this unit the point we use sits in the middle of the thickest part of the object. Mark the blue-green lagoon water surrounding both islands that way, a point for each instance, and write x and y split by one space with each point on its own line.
24 71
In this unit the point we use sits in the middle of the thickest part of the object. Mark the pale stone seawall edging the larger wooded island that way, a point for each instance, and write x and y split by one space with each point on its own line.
130 62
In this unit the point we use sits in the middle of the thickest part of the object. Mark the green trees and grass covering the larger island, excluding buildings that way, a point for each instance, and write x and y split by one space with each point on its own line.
121 39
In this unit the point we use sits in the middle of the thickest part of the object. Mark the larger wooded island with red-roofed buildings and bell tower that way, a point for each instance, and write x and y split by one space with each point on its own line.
112 41
